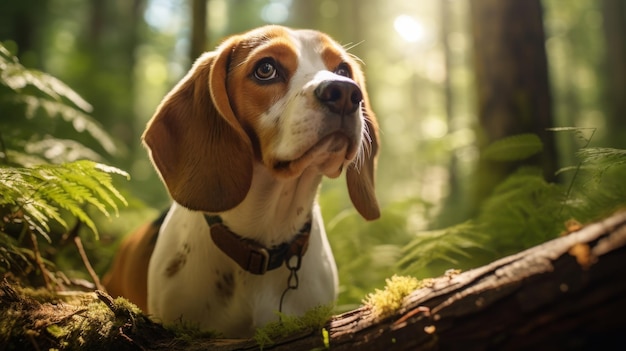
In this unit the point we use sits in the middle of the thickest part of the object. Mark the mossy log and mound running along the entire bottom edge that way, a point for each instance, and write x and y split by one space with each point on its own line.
569 293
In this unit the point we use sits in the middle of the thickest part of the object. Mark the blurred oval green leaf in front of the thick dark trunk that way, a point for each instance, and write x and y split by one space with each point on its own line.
513 148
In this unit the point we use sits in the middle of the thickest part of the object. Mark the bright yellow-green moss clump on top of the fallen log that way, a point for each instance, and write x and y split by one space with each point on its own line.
386 302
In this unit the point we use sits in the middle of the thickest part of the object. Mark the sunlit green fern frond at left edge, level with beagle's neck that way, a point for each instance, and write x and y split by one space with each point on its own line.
37 194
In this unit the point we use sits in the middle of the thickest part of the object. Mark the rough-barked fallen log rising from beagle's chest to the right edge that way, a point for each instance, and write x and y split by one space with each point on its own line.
568 293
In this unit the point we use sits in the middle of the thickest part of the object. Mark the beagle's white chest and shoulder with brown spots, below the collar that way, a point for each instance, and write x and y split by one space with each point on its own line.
197 282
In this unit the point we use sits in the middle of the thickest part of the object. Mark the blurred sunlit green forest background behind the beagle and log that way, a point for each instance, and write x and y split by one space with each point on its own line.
447 79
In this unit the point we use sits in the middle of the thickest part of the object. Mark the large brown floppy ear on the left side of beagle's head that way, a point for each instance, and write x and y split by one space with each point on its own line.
196 143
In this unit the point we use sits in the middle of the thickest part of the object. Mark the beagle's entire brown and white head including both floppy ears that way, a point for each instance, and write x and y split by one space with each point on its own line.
293 100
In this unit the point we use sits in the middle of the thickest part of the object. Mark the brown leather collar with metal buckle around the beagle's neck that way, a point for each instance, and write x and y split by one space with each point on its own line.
252 256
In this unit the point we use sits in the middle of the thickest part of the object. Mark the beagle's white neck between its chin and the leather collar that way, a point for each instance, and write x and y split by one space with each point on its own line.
275 209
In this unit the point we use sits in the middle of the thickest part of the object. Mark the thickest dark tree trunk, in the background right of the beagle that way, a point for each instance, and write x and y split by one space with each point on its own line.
512 83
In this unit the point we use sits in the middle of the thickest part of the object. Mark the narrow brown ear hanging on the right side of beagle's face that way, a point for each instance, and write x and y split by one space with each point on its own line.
360 173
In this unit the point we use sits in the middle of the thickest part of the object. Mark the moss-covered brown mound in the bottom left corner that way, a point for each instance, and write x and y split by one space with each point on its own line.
93 321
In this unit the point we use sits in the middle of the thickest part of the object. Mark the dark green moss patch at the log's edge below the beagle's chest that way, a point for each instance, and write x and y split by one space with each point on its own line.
314 319
